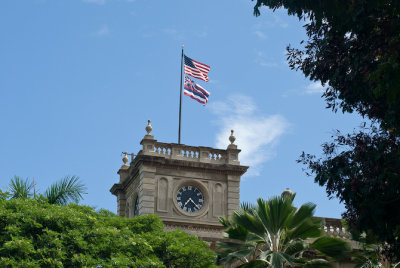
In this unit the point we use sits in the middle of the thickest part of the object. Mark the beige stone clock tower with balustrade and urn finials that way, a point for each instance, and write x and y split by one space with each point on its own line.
188 187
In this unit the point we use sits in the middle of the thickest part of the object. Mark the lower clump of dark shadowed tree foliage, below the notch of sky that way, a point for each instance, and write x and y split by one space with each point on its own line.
362 171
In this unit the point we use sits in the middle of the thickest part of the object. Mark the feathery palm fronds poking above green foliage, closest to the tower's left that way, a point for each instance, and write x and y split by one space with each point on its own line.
66 190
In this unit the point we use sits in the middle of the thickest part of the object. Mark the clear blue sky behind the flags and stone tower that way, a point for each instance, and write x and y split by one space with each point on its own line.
80 78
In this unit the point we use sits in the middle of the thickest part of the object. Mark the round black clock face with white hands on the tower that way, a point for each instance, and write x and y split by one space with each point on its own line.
190 199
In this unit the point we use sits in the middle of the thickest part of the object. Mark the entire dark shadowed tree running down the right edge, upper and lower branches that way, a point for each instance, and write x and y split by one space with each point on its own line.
353 48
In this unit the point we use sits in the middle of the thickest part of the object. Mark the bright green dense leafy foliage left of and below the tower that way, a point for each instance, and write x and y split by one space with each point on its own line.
34 233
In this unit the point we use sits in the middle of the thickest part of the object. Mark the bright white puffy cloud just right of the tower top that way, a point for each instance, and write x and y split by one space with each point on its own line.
256 134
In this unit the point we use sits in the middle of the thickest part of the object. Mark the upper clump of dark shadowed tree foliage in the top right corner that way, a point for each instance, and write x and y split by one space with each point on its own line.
353 47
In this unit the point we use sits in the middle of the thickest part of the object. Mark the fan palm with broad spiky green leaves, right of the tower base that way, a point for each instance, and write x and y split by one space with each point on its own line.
276 234
